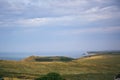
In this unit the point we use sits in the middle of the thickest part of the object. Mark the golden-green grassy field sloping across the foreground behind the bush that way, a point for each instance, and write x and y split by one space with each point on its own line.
98 67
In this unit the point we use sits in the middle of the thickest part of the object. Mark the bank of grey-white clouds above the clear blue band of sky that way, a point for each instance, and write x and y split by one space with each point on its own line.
29 13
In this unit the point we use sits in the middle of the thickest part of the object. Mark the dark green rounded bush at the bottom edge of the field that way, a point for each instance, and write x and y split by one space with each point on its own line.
51 76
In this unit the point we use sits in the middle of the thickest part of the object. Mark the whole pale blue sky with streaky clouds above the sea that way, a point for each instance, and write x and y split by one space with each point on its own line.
59 25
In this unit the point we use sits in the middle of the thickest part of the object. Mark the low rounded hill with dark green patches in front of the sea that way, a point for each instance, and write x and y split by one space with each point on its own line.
47 59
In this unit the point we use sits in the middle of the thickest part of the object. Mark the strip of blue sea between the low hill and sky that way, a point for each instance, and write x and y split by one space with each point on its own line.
17 56
